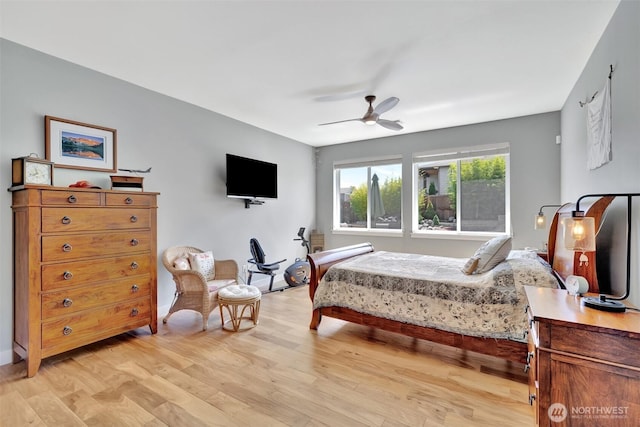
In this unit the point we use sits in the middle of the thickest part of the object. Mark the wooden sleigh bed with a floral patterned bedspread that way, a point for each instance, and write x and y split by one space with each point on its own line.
430 298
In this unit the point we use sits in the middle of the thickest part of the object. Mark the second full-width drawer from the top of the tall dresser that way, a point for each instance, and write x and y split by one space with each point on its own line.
76 246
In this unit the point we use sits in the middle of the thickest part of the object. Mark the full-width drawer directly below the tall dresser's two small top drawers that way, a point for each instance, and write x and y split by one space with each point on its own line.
92 219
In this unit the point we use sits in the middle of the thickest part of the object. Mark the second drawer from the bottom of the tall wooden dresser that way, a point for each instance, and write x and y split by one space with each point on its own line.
72 300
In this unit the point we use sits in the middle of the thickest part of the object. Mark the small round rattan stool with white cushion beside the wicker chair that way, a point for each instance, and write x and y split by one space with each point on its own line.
239 299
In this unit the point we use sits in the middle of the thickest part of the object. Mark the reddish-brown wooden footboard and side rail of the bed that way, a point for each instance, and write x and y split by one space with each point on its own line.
320 263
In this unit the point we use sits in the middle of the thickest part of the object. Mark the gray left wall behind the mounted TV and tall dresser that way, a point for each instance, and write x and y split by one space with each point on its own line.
184 144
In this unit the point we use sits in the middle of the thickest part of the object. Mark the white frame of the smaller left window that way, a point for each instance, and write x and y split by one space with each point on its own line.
368 163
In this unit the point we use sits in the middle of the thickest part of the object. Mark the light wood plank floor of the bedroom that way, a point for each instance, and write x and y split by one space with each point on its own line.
277 374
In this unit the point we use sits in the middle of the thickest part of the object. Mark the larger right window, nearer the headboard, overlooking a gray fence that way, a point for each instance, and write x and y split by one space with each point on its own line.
462 191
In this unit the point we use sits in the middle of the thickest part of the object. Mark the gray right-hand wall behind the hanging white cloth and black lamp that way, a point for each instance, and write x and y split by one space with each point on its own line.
619 46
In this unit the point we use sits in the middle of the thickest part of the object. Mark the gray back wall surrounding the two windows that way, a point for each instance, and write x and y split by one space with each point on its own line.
535 173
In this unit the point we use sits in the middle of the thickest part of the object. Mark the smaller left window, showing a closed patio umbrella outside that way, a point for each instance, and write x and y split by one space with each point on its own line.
368 195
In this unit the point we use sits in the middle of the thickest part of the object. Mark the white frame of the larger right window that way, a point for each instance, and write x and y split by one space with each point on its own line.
459 155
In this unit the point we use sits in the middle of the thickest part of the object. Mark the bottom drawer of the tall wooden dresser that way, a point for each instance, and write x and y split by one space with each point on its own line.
92 325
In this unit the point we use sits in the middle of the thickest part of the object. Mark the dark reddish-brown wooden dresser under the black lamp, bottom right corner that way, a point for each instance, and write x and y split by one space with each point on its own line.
584 364
